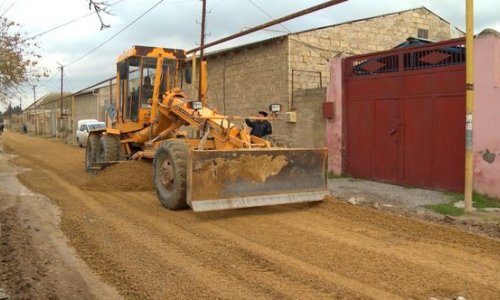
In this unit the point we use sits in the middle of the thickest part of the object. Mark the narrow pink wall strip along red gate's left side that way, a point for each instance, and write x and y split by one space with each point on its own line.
334 133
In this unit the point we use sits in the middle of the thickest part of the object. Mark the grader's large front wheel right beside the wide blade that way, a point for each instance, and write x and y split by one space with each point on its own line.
169 174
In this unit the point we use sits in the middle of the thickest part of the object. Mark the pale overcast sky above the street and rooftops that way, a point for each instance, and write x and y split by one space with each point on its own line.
175 24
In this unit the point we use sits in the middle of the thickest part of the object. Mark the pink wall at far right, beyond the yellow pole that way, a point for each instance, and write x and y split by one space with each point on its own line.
486 120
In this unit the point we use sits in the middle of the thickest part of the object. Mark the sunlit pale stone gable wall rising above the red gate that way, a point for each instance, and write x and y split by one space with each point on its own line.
312 50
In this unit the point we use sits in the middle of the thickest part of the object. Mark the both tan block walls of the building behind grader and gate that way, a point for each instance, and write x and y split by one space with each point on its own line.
247 79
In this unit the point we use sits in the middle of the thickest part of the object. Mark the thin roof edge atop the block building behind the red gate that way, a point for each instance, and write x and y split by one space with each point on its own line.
281 37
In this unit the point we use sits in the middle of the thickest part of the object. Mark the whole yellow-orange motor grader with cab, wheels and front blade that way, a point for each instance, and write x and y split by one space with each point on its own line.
220 165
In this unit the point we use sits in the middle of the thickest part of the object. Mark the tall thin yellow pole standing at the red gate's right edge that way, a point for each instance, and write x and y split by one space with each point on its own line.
469 103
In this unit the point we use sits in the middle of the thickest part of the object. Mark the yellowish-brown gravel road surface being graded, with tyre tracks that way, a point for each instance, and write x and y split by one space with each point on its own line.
323 251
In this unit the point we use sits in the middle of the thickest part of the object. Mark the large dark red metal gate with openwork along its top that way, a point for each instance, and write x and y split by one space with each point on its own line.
405 115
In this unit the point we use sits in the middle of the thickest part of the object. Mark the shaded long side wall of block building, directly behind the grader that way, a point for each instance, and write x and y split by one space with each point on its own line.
245 81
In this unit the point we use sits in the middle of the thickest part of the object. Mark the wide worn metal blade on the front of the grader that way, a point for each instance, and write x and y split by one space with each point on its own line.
219 180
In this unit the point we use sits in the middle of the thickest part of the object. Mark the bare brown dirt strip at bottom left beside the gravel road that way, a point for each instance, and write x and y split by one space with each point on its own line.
36 261
